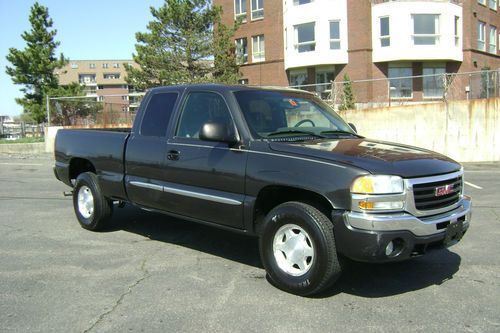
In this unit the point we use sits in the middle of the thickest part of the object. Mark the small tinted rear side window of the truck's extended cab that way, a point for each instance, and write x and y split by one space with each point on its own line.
157 114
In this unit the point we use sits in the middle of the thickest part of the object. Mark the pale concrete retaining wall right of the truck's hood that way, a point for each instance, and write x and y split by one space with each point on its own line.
467 131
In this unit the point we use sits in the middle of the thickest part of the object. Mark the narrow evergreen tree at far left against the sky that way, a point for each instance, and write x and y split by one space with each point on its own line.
34 66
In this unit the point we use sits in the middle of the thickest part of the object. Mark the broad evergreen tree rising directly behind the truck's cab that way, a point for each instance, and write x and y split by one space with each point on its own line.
182 44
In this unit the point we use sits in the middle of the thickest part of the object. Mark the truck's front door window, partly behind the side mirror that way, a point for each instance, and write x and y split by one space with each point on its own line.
200 108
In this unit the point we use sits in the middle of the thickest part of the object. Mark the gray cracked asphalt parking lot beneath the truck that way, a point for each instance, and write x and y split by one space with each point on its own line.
153 273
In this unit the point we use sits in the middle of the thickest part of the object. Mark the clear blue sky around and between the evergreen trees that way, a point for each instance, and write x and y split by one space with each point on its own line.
87 29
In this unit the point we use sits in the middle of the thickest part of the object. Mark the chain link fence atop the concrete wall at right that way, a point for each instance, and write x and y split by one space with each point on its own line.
408 89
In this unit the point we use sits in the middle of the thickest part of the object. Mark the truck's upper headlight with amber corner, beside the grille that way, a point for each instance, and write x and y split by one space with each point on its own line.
377 184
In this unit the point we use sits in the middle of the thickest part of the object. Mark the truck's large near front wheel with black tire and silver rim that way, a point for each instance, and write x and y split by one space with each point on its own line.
289 223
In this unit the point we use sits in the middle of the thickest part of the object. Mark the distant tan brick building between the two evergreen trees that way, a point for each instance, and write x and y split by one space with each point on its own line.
103 79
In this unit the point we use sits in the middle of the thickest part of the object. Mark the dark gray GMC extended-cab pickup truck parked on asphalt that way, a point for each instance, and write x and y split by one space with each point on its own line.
275 163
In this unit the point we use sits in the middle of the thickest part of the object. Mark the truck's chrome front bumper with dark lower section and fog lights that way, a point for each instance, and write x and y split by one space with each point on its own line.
364 237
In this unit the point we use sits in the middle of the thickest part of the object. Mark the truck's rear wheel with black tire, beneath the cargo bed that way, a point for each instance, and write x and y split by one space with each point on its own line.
92 209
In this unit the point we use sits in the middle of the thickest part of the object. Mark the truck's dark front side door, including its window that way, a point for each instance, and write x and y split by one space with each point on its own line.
205 180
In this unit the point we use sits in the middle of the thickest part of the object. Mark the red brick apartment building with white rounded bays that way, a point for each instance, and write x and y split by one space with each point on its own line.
298 42
